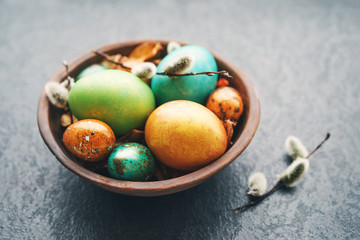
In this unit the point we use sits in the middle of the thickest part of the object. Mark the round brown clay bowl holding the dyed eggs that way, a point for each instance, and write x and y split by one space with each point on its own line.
51 130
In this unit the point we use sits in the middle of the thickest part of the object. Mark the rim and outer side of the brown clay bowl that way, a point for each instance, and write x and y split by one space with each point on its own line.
152 188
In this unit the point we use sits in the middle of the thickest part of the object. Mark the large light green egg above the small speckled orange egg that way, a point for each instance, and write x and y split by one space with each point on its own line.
118 98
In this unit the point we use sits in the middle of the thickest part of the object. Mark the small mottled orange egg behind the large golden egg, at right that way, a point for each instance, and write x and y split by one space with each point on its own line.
226 103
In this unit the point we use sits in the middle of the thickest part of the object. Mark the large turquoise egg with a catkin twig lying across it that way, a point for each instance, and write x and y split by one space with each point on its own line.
195 88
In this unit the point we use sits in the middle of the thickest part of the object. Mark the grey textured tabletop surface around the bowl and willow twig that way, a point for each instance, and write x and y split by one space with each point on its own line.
303 58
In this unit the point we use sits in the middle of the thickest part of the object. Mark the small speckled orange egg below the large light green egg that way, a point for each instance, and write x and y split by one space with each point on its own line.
89 139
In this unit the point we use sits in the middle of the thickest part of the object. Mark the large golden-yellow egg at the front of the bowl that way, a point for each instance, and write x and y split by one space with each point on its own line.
185 135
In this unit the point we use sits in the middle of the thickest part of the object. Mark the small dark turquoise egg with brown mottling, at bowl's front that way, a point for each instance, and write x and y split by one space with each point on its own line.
131 161
